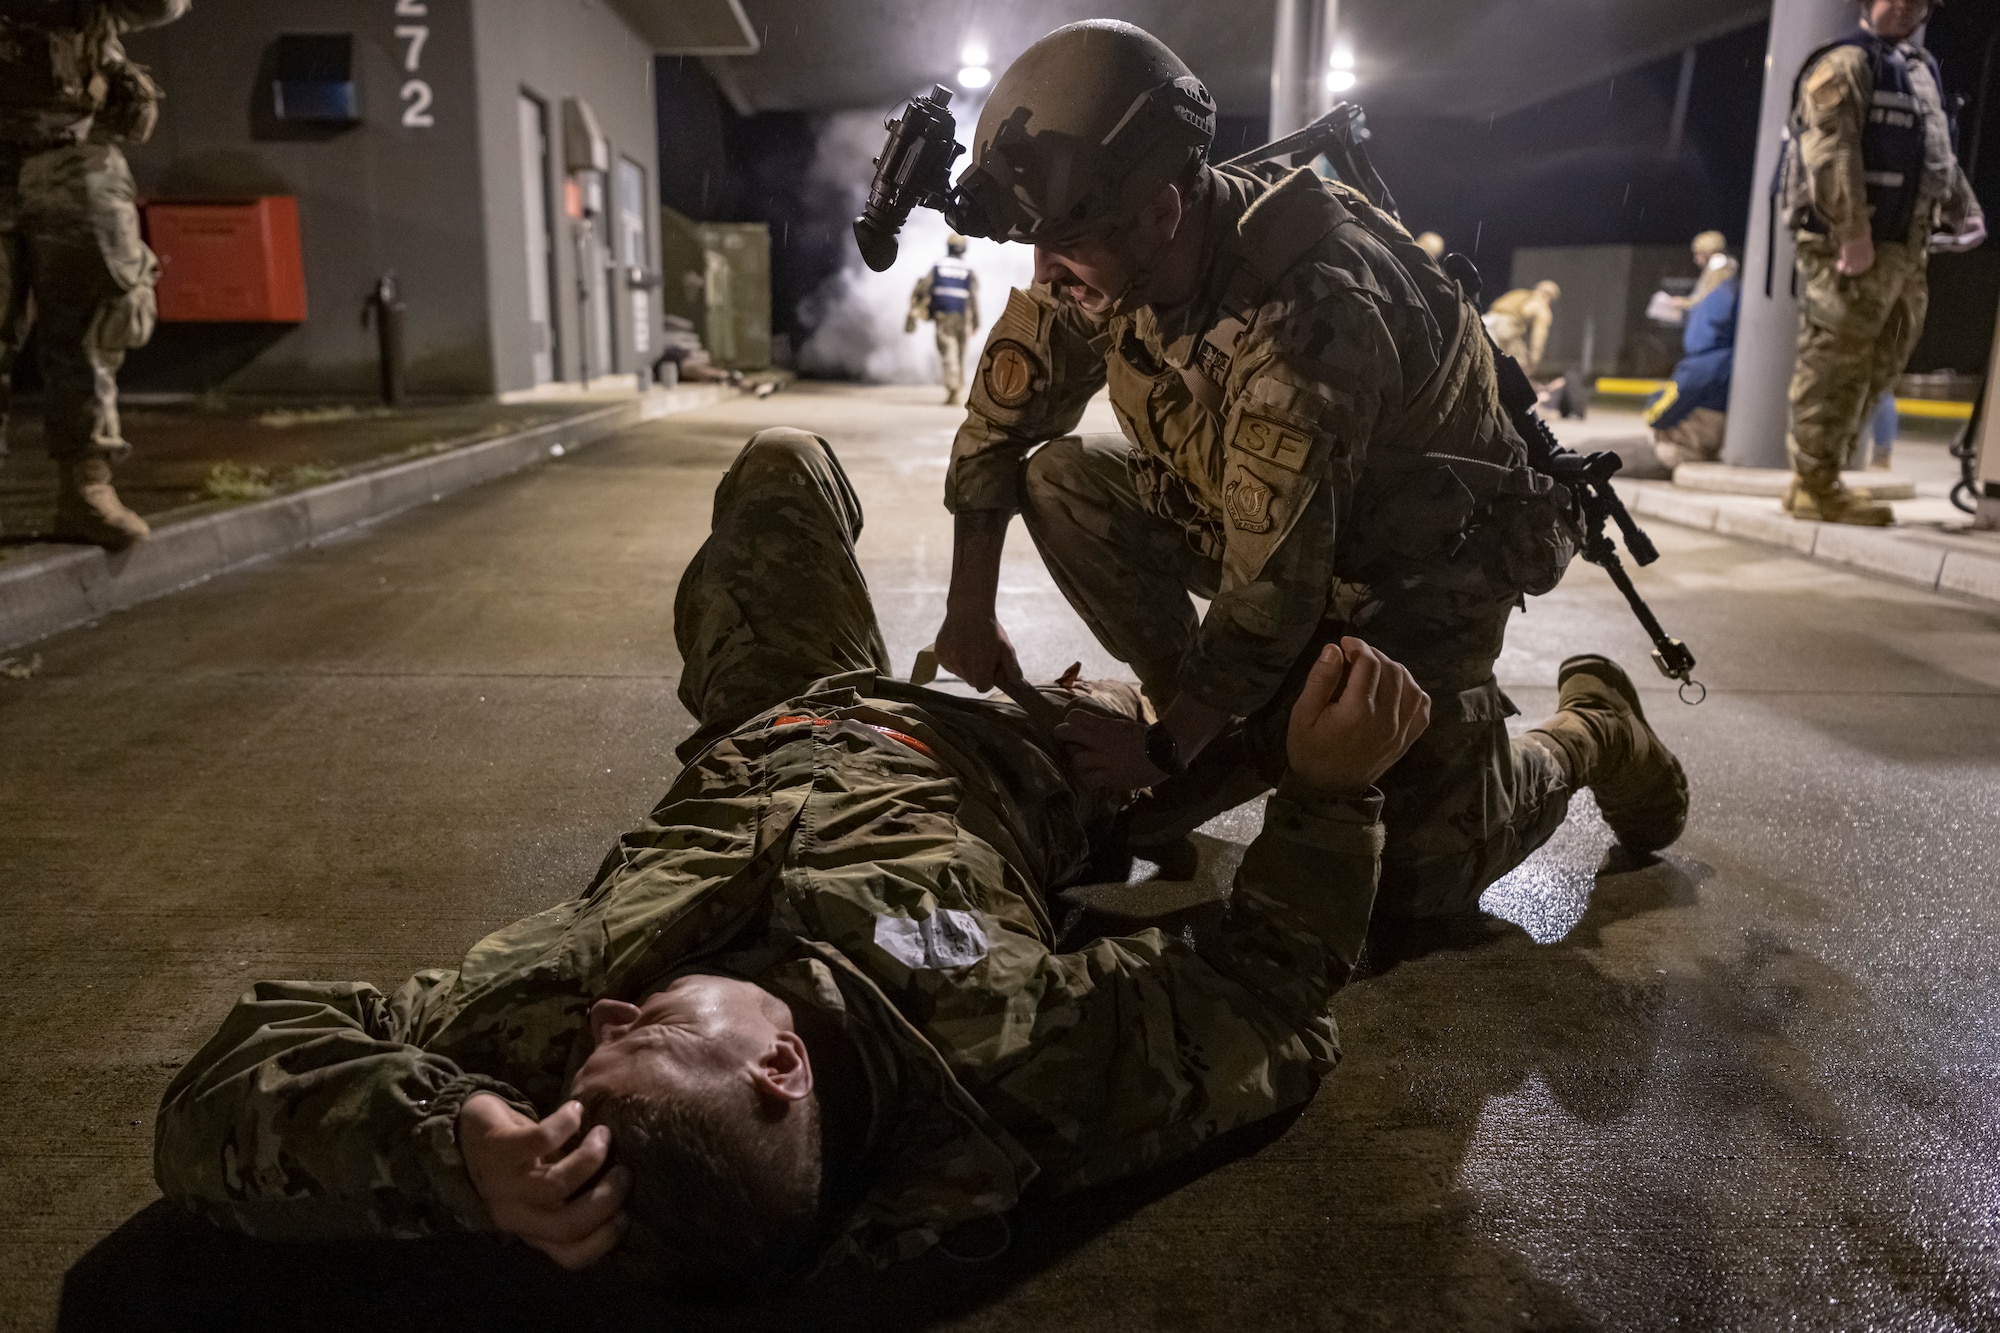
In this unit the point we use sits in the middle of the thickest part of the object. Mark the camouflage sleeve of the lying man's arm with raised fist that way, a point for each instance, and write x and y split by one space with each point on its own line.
1147 1046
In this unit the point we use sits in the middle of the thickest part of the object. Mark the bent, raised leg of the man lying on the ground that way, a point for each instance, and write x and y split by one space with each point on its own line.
775 599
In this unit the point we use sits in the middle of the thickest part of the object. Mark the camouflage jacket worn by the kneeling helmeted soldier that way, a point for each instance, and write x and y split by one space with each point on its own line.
1281 417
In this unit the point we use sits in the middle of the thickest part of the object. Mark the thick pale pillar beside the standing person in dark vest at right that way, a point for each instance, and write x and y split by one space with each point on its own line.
1767 329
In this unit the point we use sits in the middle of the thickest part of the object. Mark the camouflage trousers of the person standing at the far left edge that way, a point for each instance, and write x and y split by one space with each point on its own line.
73 263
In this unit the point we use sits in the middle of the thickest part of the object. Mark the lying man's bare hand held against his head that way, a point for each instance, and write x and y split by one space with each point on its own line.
543 1182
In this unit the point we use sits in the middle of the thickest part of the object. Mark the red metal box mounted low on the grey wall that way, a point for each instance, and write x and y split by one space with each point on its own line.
229 261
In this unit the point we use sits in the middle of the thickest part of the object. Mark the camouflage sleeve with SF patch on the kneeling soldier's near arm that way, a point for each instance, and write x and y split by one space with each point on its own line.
1313 381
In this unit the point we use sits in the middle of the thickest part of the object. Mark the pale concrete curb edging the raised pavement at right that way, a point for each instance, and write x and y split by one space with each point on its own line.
1921 557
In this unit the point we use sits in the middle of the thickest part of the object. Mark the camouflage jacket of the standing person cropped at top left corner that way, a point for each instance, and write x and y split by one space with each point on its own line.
63 69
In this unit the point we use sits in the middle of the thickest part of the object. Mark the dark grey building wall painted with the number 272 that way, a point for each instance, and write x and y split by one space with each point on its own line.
373 199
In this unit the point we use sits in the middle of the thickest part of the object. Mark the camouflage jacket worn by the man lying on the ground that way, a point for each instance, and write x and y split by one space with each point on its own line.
871 850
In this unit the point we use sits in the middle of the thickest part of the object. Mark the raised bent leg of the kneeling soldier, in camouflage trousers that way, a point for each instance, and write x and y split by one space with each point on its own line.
1125 569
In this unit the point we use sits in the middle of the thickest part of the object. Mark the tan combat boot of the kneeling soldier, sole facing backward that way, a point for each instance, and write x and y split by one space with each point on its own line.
1609 748
